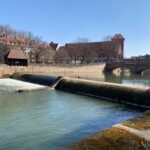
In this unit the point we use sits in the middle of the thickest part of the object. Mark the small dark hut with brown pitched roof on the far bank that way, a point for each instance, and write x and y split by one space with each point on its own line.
16 58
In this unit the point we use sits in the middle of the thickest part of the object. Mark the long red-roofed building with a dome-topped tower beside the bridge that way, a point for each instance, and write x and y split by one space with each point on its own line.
105 50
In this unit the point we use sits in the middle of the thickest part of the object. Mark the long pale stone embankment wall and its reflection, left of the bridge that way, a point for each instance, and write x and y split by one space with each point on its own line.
94 71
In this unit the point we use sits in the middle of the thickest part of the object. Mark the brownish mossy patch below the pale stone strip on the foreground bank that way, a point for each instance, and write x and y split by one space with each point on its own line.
111 139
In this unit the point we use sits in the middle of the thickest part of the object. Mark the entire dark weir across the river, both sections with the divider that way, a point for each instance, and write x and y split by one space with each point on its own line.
134 96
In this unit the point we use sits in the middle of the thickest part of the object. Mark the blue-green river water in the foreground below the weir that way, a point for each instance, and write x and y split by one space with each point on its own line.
50 119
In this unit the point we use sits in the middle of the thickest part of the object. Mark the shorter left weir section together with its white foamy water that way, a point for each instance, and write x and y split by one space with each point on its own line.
28 82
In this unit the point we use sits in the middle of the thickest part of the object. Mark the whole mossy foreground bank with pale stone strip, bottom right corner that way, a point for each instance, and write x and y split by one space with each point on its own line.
130 135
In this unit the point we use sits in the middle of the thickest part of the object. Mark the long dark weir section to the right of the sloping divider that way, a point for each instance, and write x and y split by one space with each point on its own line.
116 92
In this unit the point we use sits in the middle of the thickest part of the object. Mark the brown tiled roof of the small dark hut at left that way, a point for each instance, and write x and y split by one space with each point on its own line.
16 54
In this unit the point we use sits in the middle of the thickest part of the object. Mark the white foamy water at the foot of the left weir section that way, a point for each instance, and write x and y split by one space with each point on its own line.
15 85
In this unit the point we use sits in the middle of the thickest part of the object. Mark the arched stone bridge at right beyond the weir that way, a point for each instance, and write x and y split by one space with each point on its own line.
135 66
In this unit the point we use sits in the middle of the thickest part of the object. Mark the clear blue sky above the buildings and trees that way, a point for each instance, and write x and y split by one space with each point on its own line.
64 21
